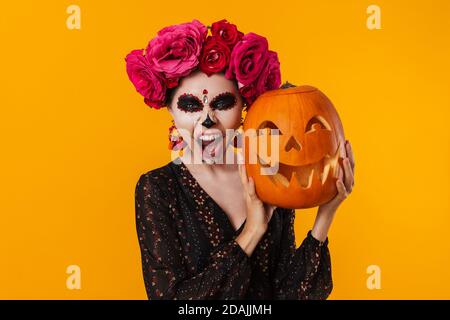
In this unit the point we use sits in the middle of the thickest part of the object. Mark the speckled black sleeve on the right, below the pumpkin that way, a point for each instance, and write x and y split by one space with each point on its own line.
303 272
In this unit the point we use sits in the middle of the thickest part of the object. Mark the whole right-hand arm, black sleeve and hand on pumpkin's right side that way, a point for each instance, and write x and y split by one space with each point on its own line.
305 272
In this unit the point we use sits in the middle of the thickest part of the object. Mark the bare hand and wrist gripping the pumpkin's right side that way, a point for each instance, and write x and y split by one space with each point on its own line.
345 184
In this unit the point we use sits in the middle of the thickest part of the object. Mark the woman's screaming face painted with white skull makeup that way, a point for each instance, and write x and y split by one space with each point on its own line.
204 108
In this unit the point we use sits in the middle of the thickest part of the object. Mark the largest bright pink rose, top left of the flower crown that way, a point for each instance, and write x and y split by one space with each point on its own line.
174 52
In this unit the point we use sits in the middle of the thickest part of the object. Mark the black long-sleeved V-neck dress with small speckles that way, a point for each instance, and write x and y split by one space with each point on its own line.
188 247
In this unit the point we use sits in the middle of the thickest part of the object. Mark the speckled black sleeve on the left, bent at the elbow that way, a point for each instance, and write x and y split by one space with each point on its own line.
226 275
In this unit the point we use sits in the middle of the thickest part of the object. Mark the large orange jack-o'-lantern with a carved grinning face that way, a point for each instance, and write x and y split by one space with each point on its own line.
311 146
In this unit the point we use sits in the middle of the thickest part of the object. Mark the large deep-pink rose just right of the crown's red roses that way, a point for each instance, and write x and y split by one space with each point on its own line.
248 58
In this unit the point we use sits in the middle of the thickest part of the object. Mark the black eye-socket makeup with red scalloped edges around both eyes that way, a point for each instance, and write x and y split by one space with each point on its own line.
188 102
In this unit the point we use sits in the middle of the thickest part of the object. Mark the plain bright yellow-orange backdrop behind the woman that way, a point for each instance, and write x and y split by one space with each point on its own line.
75 137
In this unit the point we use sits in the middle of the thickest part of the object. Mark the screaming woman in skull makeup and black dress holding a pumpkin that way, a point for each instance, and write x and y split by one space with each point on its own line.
203 231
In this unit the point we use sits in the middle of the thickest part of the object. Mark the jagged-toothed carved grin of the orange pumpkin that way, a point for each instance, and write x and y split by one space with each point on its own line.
304 174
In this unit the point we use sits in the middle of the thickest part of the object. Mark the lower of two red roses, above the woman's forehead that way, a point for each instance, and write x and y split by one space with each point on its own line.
215 55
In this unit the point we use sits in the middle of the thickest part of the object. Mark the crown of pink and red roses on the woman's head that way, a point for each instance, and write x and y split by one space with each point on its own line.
178 50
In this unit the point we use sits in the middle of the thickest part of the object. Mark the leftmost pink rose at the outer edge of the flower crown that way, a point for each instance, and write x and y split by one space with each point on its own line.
146 81
